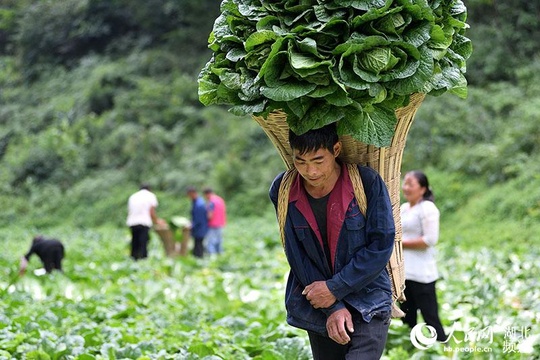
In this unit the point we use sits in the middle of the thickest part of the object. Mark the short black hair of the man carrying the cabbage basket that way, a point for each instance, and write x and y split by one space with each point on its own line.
322 138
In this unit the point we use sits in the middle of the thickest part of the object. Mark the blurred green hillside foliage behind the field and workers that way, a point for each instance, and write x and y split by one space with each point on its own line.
97 96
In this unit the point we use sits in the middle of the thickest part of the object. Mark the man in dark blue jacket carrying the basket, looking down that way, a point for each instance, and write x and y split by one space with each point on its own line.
338 288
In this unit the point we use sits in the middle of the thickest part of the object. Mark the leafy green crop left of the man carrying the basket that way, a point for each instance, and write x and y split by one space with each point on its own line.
106 306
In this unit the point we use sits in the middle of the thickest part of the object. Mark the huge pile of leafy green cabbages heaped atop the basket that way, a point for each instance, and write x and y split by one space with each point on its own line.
353 61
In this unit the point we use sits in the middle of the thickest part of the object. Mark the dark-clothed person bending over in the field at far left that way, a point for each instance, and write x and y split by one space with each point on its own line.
50 251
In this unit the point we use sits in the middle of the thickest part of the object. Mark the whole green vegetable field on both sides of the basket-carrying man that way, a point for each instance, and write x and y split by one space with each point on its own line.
106 306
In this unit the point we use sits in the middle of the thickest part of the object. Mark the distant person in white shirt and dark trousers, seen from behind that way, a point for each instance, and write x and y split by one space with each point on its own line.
141 216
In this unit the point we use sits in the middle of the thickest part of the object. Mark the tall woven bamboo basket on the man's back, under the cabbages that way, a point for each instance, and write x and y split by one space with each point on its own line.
385 160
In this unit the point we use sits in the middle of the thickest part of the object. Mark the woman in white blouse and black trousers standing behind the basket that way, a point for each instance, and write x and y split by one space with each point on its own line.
420 228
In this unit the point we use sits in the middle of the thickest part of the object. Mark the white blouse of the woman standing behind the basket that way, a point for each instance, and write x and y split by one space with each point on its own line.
421 220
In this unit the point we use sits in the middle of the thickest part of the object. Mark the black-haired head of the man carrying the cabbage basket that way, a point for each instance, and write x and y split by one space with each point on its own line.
314 156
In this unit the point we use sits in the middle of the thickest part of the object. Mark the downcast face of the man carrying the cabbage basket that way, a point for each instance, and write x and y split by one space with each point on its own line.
316 167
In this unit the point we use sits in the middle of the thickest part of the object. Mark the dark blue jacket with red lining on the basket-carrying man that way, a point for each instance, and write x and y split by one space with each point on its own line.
359 279
